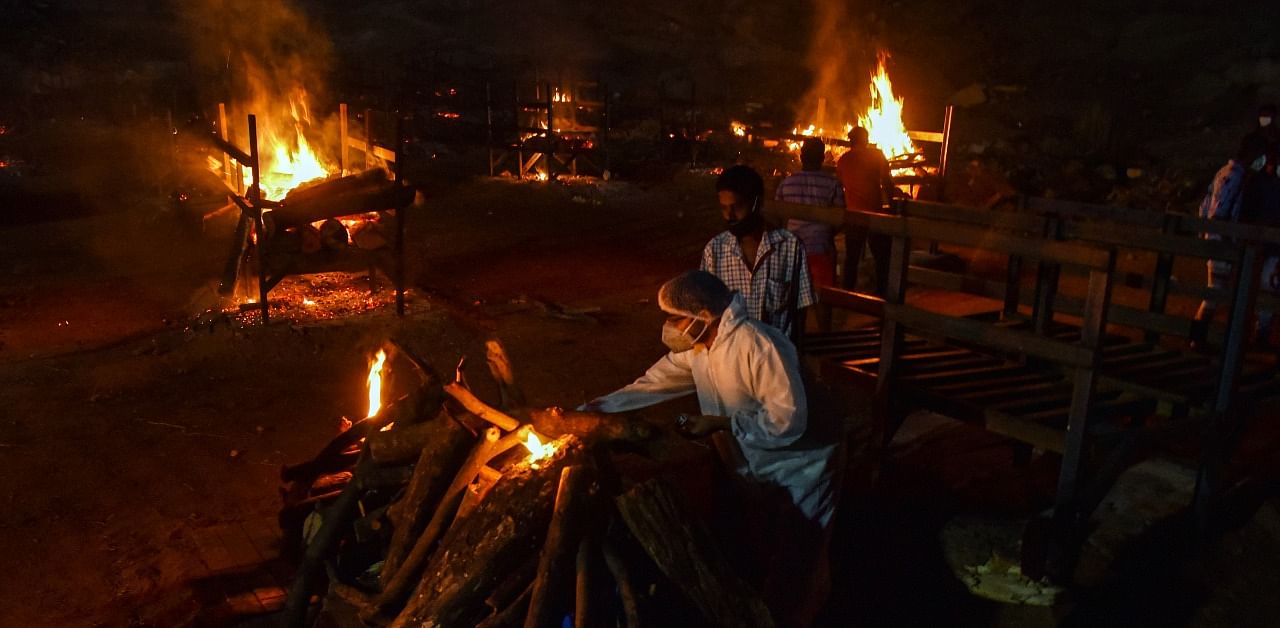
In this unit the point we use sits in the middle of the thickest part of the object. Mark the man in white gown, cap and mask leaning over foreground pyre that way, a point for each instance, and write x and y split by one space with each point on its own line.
749 384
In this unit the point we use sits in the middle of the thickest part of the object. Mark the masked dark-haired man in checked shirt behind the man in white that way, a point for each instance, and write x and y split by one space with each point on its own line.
766 265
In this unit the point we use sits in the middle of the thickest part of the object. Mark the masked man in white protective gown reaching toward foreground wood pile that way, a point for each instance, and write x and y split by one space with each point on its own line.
749 382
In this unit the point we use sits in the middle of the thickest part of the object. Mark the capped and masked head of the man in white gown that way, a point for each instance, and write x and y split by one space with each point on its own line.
696 301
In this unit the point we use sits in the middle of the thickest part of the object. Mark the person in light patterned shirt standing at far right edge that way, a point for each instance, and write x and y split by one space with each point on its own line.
1223 203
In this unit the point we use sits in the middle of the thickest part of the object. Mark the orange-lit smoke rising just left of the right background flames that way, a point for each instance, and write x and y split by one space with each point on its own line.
840 57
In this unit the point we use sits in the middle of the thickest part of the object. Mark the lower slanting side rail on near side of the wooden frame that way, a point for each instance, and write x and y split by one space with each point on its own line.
989 336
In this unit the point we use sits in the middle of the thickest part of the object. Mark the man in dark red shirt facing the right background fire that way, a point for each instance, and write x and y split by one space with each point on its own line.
868 186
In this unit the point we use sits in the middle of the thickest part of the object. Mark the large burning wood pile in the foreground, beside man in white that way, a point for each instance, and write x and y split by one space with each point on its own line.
438 510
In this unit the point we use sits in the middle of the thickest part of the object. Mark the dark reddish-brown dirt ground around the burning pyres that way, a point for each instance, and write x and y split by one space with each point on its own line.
130 428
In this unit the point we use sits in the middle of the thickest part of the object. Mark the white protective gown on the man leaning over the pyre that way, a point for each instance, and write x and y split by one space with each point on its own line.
751 375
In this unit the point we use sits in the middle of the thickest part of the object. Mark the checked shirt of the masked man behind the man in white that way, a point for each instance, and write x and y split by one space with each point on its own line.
778 288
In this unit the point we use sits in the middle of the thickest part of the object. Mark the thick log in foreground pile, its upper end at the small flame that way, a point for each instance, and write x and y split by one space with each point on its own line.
499 538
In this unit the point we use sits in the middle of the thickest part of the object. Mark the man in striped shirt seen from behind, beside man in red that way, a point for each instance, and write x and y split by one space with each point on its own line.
812 186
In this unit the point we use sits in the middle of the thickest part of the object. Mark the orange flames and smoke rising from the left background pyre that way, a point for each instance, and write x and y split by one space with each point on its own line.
272 62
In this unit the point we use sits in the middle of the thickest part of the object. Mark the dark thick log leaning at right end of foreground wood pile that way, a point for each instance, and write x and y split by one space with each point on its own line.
687 554
